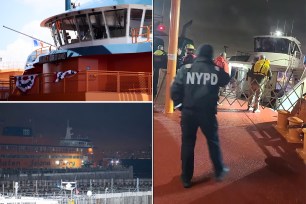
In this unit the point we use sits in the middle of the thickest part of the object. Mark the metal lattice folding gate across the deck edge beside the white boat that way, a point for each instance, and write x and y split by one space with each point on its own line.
278 93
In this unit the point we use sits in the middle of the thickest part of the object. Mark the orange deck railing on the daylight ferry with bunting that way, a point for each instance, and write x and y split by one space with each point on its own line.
89 81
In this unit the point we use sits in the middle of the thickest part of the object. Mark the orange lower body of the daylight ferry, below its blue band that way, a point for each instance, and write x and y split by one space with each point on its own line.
117 77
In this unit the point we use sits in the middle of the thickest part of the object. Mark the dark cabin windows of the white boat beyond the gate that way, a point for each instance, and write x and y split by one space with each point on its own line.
268 44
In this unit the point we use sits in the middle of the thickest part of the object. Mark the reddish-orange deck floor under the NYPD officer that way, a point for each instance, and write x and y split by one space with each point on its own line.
264 167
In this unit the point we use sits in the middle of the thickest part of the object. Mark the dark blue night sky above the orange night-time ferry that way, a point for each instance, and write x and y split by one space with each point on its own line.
120 126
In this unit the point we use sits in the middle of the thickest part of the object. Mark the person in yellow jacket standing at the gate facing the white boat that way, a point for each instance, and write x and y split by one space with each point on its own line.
259 73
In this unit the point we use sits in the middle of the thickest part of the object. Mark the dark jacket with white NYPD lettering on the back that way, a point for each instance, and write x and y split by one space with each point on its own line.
197 88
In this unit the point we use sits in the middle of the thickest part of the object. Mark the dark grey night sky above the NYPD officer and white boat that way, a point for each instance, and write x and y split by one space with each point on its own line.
234 22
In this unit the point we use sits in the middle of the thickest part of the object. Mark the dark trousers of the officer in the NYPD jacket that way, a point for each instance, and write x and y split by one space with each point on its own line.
190 122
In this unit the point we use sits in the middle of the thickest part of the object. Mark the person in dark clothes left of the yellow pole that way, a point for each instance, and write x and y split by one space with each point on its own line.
160 60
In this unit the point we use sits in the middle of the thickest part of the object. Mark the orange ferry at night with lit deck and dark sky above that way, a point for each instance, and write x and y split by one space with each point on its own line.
19 149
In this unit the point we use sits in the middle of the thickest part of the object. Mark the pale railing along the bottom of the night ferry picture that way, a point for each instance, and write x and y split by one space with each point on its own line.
44 186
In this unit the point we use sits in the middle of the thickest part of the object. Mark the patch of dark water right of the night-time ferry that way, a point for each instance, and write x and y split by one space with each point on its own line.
142 168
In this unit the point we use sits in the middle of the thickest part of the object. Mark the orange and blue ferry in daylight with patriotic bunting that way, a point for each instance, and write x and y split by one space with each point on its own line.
102 51
